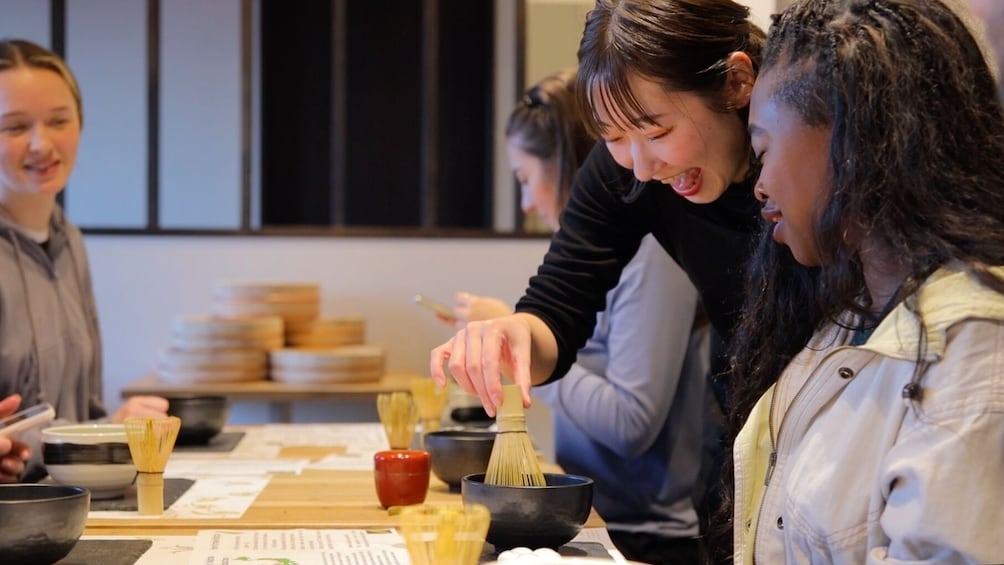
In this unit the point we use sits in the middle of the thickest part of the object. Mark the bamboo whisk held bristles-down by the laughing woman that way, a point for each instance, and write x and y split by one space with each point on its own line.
514 462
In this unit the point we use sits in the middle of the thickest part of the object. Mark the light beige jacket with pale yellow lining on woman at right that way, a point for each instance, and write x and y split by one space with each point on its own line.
865 473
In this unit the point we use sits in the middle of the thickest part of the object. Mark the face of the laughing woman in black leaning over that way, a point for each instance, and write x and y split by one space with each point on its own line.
684 144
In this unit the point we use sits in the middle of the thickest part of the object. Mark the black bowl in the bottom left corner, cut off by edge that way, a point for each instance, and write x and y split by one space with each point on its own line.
42 523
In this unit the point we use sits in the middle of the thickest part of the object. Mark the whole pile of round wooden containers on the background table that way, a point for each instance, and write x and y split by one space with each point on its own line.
271 331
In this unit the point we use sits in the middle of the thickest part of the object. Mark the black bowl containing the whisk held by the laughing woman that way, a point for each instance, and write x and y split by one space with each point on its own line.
534 517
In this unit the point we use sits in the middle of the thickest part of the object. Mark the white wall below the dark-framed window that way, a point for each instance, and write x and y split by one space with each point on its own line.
142 282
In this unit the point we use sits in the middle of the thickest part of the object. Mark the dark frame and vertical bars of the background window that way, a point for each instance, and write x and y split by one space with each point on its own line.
430 209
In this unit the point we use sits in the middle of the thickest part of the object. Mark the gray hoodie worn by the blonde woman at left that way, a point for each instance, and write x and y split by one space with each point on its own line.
51 349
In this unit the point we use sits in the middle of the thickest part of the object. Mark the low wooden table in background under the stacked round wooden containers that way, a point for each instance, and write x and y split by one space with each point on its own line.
281 396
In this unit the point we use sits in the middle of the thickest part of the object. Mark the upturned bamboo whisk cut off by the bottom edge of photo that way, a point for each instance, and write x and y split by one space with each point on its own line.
452 534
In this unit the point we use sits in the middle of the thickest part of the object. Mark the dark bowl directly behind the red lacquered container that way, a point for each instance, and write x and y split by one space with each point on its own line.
458 453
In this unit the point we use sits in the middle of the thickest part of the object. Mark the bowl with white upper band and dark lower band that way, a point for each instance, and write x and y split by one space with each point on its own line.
95 457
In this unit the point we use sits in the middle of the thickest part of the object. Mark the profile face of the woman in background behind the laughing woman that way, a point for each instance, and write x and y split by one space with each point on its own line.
539 183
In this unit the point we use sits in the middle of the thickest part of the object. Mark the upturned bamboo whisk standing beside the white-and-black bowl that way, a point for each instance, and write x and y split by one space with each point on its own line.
151 441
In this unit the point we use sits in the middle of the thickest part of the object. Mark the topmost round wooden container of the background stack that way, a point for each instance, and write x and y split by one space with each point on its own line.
294 303
